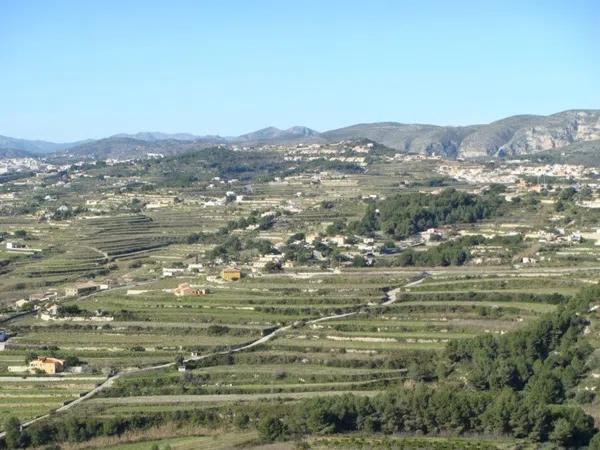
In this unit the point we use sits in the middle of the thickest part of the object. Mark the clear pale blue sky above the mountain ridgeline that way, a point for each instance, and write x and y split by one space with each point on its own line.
79 69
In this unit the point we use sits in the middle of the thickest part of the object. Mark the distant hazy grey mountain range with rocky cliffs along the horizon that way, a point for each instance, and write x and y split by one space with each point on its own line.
512 136
